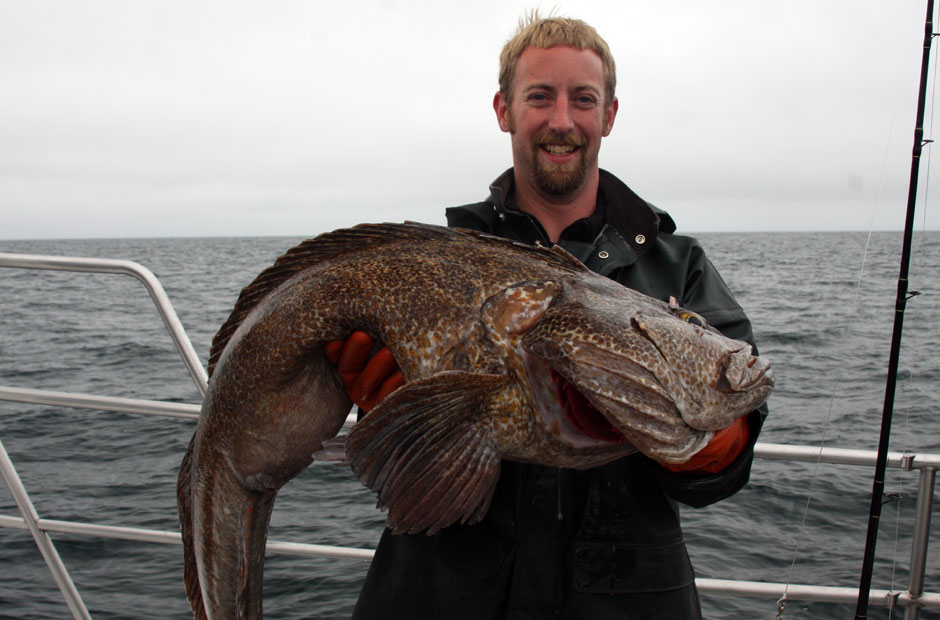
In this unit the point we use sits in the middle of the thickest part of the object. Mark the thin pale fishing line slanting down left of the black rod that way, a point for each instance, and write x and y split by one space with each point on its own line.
781 603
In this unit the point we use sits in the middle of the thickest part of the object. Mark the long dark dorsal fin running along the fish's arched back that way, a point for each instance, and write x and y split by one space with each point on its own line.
339 242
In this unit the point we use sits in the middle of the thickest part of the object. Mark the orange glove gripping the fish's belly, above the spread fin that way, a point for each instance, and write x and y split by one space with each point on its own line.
369 378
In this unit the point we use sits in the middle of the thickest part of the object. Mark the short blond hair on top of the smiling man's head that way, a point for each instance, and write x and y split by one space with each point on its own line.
536 31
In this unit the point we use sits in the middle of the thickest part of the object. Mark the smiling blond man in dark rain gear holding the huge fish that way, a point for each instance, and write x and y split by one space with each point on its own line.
561 543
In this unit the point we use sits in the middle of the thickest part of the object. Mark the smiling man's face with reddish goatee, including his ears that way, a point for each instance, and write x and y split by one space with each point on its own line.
556 118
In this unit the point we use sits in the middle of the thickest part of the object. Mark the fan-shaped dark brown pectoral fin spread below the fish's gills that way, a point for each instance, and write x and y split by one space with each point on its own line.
425 450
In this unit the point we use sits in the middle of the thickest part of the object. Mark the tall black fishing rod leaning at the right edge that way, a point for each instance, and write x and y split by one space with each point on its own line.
864 587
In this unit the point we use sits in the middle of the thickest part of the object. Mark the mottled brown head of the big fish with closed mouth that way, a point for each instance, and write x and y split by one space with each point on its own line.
662 381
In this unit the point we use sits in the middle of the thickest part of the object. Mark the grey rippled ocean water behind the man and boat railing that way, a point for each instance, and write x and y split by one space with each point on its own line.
822 305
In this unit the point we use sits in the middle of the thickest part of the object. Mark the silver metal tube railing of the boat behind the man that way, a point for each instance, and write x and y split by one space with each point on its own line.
913 599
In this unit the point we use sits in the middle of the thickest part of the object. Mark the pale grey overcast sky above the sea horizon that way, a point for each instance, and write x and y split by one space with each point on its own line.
165 118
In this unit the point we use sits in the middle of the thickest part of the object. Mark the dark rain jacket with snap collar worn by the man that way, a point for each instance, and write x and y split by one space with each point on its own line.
564 543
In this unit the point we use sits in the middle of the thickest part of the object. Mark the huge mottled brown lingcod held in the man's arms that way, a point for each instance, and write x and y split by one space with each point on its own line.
484 330
